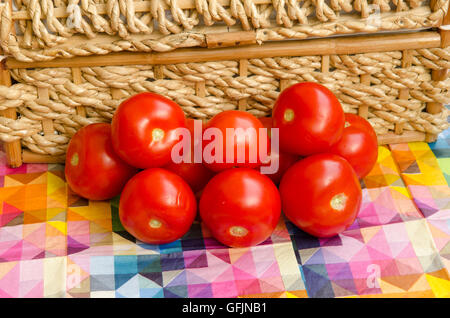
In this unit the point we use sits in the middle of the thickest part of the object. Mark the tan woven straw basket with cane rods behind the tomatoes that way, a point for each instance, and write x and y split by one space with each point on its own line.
216 55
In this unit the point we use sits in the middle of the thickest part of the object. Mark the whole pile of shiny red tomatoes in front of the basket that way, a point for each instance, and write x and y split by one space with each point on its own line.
321 156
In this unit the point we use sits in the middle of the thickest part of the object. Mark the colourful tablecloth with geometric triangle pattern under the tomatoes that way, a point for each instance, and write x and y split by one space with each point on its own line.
56 244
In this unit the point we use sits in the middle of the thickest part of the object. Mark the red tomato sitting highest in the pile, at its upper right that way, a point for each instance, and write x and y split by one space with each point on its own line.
310 119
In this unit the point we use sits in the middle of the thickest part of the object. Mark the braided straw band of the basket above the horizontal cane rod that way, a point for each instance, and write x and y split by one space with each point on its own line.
44 28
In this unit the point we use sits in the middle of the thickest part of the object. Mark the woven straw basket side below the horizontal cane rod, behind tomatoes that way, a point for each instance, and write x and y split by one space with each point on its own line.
103 89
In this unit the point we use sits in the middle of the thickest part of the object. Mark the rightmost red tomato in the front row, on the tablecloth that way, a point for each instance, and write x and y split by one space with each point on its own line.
321 194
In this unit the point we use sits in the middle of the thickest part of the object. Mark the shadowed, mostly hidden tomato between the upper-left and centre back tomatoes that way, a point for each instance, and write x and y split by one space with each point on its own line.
195 174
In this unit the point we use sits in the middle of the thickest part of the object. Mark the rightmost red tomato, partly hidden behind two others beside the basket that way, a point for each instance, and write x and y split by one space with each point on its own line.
358 144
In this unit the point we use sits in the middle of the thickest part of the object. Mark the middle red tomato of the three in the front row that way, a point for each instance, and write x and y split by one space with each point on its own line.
241 207
